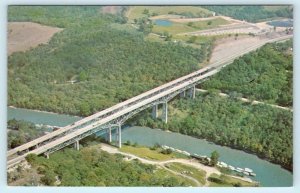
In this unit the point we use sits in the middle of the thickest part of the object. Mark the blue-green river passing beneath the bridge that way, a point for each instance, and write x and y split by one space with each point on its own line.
268 174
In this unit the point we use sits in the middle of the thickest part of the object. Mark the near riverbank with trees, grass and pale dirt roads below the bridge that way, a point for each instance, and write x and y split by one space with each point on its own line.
59 169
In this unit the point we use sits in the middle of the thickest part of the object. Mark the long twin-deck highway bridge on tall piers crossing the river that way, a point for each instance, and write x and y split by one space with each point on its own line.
115 116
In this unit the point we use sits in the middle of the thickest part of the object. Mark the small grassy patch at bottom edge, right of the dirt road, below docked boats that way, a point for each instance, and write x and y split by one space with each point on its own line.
227 181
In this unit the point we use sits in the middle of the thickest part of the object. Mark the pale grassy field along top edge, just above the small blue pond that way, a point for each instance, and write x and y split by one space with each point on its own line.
137 11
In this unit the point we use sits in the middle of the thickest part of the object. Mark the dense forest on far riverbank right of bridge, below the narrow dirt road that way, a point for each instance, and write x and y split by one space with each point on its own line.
259 129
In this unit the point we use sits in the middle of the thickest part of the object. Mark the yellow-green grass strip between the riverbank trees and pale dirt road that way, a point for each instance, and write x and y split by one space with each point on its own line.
145 152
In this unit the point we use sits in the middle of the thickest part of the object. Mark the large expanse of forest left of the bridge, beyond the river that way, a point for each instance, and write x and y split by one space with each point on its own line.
90 66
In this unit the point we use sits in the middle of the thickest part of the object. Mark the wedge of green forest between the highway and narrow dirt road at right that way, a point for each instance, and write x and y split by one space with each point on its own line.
264 75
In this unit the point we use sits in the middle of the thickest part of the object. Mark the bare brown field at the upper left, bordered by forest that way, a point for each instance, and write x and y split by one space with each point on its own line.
23 36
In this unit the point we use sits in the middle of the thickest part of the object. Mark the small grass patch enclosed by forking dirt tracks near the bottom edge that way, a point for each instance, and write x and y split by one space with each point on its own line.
190 171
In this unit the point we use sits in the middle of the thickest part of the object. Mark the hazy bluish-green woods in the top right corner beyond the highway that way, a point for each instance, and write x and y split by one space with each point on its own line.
252 13
